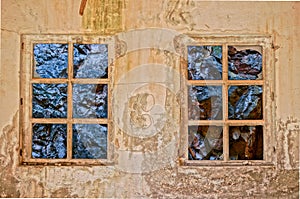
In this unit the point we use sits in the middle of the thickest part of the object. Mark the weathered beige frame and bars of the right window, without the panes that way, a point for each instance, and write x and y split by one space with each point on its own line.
268 107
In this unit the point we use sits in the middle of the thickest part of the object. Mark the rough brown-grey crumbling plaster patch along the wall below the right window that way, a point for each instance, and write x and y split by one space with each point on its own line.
218 182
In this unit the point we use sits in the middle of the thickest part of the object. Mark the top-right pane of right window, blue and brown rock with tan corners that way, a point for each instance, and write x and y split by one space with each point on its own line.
244 63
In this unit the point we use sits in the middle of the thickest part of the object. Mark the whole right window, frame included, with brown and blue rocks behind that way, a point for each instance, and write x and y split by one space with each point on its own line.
228 101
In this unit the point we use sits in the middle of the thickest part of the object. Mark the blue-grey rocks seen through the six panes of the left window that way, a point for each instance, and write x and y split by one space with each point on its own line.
51 100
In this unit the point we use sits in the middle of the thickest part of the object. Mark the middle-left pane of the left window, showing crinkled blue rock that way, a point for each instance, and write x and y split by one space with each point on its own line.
49 100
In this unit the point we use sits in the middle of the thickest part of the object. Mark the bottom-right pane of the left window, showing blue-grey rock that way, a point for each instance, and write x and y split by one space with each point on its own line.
89 141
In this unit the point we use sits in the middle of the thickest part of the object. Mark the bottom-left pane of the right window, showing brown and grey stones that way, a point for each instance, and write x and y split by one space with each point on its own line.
205 143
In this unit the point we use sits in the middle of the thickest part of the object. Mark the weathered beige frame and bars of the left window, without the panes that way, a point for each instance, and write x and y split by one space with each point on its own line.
27 79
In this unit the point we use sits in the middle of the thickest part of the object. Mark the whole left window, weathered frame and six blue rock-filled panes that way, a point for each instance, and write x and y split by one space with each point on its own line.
65 99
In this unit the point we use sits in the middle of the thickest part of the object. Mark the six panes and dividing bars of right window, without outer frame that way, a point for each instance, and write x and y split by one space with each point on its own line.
225 102
